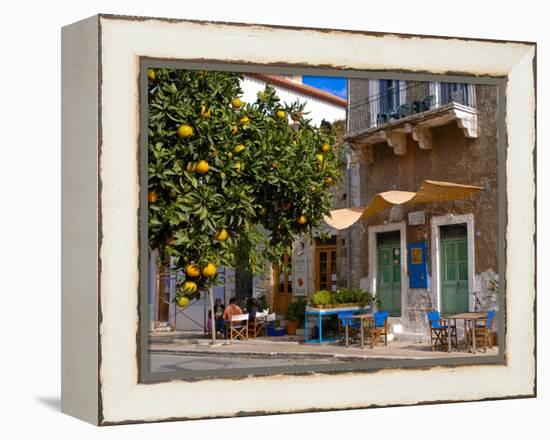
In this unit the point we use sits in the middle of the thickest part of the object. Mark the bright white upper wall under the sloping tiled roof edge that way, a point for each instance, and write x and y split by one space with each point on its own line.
318 110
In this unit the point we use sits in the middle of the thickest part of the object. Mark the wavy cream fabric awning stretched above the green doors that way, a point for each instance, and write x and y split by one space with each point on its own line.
429 191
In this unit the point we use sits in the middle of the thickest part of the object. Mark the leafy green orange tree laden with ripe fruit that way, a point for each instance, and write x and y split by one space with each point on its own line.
227 176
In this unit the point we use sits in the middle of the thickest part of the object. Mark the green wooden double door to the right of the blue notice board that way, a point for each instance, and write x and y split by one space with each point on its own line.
454 275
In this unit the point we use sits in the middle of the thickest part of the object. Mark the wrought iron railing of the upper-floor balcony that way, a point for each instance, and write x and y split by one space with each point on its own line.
395 103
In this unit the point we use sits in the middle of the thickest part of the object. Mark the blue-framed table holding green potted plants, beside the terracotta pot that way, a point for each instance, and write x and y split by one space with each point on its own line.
324 322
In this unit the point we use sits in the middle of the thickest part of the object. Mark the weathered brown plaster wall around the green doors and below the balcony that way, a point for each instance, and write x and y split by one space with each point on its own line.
453 158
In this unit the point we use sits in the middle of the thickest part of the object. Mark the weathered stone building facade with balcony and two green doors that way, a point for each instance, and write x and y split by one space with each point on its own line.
404 133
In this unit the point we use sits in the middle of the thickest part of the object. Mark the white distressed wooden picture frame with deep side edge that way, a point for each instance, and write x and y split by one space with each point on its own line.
101 198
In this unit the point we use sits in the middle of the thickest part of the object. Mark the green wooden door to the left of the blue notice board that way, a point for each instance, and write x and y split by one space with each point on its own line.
389 278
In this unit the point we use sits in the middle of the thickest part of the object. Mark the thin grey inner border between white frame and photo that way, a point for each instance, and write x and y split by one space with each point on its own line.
375 365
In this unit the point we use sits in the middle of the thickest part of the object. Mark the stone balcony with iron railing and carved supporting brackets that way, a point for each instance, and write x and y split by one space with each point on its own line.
414 108
